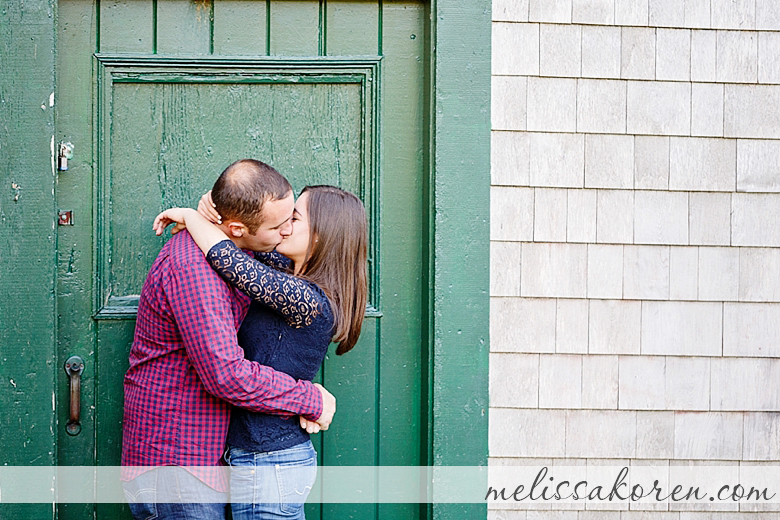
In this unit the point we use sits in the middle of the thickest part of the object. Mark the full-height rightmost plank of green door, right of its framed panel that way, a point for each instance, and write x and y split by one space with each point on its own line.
401 409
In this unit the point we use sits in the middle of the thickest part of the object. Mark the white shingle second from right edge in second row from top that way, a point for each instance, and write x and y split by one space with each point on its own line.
737 57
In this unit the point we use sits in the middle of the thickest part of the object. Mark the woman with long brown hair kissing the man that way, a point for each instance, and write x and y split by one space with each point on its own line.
310 292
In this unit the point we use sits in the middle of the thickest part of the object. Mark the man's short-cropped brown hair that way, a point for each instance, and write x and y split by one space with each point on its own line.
243 188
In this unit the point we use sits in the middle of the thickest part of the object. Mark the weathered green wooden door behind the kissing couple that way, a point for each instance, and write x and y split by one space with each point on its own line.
157 97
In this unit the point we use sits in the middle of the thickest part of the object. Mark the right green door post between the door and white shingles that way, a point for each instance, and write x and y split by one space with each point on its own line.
459 219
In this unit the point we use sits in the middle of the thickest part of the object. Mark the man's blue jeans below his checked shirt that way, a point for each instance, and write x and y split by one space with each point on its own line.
172 492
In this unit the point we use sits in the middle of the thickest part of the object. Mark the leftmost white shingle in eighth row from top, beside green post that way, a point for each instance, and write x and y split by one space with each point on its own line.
514 380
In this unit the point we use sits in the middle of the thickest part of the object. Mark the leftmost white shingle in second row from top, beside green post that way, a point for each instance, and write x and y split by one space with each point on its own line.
515 48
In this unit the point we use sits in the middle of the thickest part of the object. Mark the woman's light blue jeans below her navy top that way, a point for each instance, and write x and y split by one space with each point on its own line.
273 484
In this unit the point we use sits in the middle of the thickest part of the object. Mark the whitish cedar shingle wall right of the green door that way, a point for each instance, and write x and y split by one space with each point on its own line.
635 236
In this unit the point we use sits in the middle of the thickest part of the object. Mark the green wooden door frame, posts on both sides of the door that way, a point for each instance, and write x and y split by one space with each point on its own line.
457 230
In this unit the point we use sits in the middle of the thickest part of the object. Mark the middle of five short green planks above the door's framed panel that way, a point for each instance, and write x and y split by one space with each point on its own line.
240 27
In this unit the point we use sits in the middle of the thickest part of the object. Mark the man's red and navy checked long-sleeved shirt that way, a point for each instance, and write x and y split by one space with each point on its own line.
186 368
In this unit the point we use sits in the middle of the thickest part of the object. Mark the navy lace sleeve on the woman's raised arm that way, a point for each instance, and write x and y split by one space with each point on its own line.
290 296
